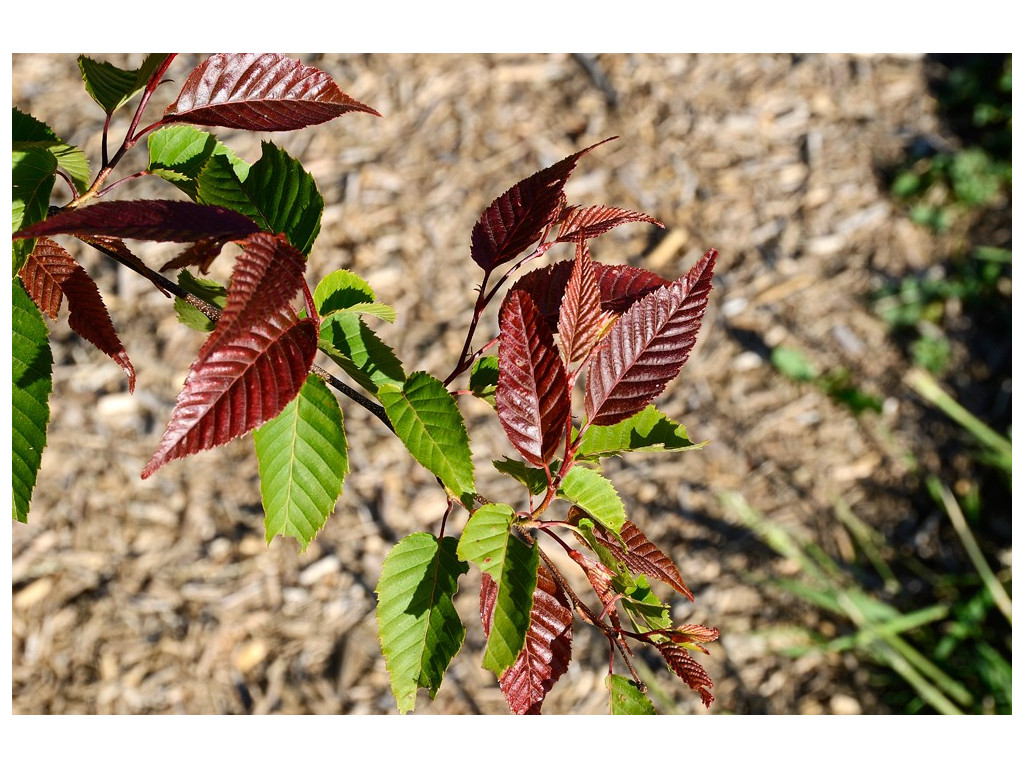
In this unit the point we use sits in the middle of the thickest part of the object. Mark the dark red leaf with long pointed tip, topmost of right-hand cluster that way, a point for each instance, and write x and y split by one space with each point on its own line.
517 220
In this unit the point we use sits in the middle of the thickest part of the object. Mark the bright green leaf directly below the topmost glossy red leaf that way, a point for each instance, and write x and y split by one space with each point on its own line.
181 153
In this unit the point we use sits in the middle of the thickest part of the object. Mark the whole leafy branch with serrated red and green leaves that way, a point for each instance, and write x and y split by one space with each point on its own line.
621 333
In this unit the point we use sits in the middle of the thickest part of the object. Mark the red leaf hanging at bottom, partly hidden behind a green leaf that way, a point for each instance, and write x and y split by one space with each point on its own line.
546 655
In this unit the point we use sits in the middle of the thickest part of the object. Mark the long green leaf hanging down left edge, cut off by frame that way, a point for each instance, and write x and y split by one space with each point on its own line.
32 366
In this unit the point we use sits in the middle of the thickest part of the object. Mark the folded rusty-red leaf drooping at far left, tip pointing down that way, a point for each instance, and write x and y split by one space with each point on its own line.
50 275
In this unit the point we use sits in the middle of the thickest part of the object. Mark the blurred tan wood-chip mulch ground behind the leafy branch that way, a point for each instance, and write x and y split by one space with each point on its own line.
162 596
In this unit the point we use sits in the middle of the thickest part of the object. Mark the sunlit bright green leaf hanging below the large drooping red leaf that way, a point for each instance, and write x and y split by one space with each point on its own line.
304 458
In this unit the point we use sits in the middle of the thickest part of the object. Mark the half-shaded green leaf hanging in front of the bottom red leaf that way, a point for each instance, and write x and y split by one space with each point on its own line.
489 542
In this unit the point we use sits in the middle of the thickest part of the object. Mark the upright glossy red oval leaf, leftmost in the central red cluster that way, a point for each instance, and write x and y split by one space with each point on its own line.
533 398
